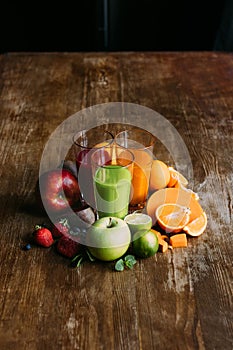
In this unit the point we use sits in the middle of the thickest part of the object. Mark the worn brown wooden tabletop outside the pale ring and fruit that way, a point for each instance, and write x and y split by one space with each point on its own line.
178 300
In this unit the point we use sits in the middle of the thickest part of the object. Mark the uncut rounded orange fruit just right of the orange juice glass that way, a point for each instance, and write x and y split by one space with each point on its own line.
160 175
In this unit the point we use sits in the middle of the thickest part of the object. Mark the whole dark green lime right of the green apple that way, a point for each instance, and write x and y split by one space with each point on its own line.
145 243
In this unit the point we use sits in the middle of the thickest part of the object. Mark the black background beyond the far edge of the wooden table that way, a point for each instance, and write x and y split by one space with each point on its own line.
111 25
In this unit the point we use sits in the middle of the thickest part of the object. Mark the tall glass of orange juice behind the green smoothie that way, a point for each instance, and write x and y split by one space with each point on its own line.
141 143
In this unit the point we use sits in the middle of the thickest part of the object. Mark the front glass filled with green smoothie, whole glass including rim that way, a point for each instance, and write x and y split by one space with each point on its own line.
112 176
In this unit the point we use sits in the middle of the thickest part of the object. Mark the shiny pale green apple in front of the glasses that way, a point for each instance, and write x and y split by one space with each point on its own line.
108 238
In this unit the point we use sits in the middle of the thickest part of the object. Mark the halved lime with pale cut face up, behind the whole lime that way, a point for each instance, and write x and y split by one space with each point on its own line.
138 221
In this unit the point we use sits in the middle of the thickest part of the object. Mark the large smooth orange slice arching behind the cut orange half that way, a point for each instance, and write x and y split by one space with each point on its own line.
174 196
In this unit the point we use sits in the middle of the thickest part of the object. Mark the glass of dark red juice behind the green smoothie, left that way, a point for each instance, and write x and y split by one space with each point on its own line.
85 143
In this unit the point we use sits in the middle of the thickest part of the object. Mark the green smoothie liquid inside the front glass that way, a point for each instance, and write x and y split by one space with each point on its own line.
112 185
